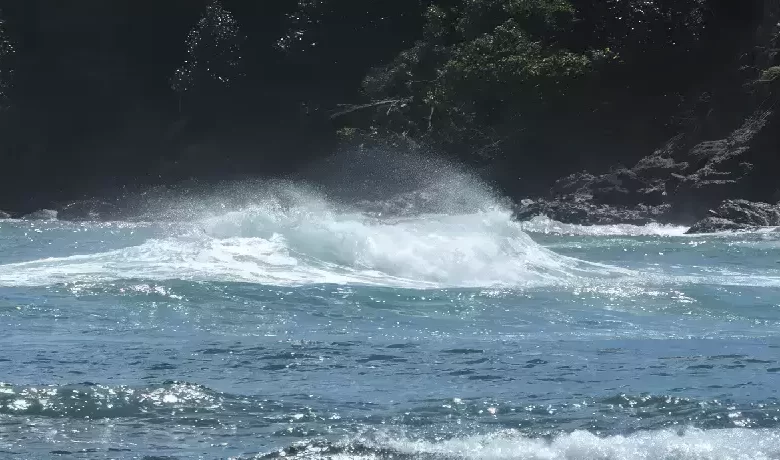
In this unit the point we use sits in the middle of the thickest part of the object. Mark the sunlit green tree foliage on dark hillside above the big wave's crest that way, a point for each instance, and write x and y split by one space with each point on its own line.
479 62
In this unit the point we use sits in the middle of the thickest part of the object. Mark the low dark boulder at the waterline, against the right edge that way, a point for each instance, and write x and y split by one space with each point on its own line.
738 215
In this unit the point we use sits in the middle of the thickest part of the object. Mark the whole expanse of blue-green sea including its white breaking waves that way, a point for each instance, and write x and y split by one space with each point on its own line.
290 326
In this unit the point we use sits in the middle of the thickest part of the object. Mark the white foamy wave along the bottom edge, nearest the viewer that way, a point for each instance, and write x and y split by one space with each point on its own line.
732 444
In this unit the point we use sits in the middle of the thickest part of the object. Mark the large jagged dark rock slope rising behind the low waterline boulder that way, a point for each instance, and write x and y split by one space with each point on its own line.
676 183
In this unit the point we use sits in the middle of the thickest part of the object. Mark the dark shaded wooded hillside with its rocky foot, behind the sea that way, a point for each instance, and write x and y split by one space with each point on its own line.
588 112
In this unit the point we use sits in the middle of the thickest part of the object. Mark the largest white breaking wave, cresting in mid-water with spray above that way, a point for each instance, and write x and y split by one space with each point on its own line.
305 239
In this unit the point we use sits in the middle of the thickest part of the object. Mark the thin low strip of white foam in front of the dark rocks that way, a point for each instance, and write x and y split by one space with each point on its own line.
546 225
